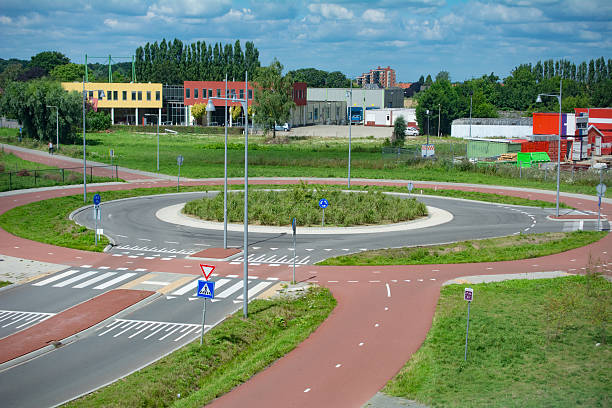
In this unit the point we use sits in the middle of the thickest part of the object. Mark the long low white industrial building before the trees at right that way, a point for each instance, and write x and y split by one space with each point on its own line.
507 128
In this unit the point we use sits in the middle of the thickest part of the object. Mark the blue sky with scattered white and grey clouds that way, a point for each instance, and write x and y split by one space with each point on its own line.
467 38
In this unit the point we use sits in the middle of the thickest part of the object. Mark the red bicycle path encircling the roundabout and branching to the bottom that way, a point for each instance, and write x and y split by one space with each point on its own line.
371 333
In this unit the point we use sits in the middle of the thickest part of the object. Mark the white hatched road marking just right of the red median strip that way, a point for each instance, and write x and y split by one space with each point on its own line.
145 330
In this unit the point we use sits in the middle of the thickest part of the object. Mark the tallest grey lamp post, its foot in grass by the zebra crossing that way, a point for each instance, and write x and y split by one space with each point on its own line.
210 107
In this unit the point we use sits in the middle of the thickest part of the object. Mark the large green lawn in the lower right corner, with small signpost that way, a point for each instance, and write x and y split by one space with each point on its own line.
532 343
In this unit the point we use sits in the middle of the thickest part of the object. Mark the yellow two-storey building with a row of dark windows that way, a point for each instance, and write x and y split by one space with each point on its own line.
128 103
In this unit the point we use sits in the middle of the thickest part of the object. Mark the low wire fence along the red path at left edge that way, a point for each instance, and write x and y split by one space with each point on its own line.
25 178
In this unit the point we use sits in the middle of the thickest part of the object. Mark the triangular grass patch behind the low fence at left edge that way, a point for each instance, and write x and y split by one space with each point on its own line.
27 174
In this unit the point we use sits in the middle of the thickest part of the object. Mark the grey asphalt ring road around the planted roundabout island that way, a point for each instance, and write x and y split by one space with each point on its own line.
137 232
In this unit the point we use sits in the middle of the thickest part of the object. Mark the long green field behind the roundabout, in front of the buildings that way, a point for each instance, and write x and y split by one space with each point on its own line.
306 157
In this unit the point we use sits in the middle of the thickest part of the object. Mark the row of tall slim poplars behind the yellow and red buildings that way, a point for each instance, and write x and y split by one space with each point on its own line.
172 62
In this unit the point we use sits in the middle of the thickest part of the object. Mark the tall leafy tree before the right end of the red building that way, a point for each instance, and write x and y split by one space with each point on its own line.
273 101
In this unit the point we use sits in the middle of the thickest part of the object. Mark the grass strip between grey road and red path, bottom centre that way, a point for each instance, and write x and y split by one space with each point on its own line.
233 352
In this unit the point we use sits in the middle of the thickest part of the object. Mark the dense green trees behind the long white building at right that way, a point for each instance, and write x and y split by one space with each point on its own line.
517 92
